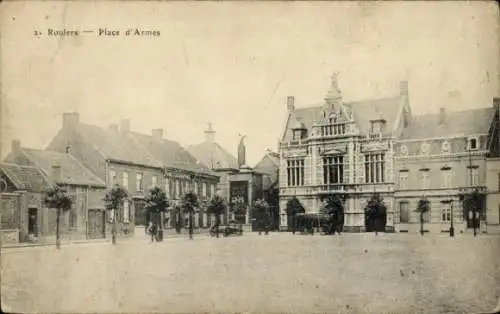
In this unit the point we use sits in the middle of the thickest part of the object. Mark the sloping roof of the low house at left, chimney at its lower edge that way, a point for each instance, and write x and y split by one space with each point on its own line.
73 172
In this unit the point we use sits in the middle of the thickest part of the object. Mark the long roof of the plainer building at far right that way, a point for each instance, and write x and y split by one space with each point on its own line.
457 123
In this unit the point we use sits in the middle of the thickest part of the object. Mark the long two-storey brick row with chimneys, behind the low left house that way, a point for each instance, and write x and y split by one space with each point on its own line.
135 161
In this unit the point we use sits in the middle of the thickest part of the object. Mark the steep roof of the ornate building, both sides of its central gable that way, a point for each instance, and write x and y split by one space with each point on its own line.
363 112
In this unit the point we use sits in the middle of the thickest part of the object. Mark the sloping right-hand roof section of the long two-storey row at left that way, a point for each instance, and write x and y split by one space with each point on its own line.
170 153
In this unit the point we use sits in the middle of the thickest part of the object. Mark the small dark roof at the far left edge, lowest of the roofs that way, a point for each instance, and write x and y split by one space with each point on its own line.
25 177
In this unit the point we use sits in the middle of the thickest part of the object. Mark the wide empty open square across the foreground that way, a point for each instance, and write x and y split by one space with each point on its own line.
280 272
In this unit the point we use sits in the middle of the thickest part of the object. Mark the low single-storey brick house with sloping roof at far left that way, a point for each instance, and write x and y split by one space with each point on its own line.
25 176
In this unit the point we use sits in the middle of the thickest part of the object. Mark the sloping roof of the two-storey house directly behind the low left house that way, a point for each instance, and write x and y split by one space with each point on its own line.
117 145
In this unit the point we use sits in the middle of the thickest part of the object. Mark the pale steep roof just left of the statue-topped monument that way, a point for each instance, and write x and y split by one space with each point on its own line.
212 155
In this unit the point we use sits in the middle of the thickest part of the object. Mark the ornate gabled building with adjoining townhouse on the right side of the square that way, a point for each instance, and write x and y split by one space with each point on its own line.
356 149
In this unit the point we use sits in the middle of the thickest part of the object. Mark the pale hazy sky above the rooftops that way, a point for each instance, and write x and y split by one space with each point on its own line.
234 64
